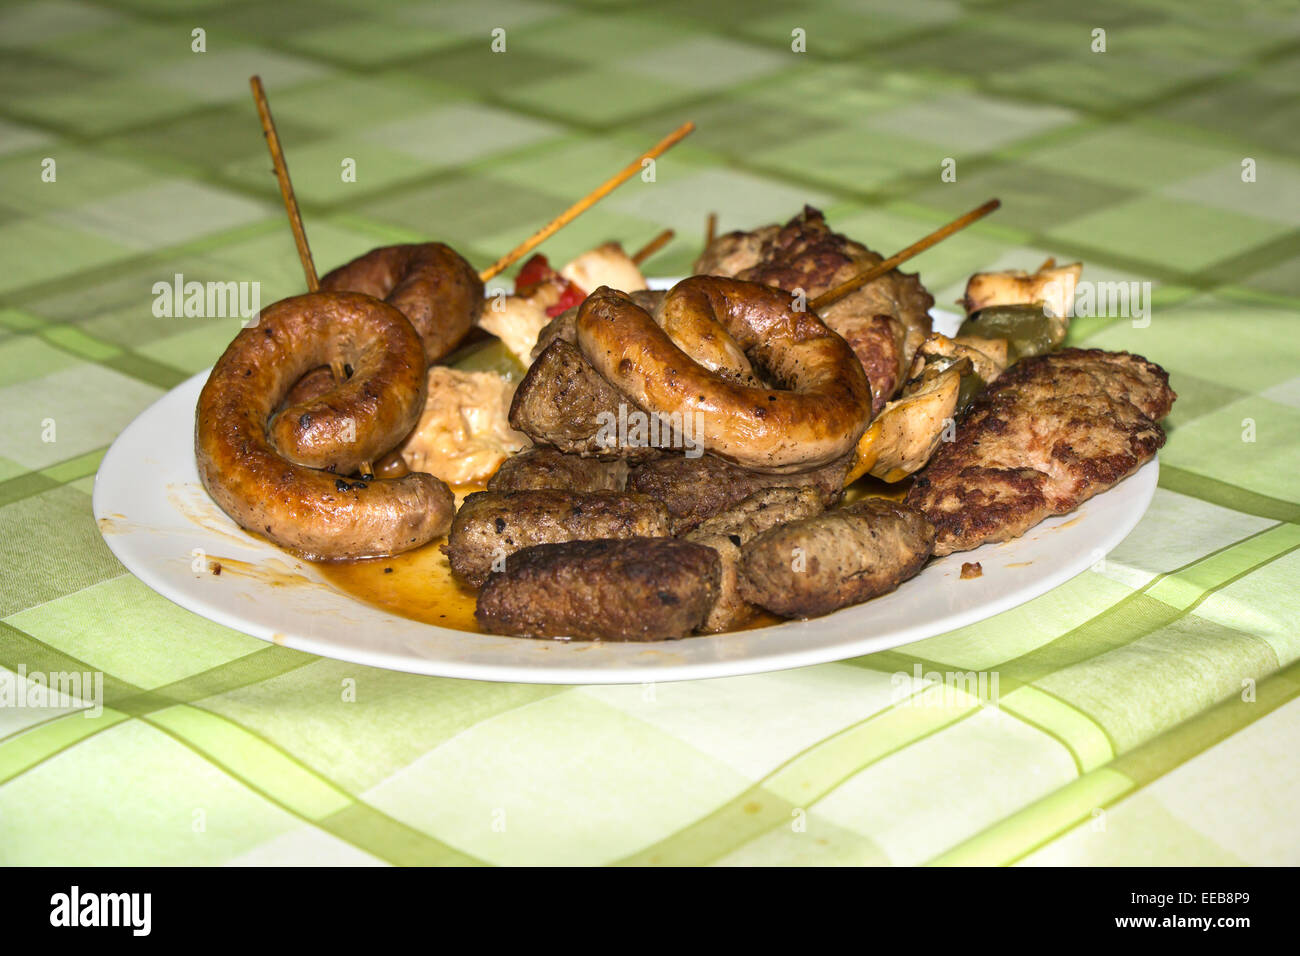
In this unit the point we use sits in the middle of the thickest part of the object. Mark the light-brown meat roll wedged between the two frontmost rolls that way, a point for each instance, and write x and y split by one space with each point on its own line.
726 533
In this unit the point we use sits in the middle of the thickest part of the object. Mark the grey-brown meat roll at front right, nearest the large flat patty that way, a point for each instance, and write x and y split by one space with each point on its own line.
843 557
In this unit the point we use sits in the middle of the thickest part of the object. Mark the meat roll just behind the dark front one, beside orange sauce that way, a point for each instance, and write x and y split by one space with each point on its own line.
492 526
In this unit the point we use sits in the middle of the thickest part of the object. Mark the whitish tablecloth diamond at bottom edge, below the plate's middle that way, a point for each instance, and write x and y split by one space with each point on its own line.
566 781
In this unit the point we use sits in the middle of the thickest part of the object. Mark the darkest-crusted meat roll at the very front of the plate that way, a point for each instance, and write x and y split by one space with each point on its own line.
630 590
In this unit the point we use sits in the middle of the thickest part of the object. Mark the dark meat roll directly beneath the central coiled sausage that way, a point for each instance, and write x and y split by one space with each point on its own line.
697 488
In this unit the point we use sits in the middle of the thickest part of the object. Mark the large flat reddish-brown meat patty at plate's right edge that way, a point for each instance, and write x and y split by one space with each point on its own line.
1047 436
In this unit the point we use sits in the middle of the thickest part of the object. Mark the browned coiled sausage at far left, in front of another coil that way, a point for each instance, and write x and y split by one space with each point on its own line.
318 513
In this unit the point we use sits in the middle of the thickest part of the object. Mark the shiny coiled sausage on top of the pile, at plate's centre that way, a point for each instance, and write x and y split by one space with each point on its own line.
818 416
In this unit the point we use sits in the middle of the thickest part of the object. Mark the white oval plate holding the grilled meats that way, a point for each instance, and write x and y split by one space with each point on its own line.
161 524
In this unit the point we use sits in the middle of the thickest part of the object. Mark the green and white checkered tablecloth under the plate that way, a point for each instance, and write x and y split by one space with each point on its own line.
1147 708
